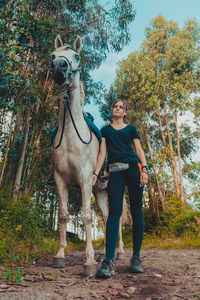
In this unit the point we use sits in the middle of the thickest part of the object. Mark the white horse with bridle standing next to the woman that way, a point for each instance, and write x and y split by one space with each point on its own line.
75 150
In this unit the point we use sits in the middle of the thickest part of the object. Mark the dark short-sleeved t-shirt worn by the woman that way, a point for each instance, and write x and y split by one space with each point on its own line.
119 142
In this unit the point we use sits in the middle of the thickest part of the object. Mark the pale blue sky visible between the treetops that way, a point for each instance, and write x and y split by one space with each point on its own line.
146 10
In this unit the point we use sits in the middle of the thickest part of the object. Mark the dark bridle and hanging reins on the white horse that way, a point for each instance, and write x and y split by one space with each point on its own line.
66 102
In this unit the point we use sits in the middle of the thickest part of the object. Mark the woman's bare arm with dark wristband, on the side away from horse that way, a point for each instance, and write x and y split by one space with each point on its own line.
141 156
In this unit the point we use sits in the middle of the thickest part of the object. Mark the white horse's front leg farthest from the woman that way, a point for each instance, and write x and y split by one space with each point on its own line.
59 259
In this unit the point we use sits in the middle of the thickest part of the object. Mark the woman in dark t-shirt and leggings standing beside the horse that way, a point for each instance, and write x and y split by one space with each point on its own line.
126 168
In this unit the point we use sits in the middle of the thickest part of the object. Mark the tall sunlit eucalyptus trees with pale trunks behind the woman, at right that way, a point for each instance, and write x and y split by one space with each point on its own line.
161 83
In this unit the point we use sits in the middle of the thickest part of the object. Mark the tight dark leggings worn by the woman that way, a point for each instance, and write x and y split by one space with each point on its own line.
116 187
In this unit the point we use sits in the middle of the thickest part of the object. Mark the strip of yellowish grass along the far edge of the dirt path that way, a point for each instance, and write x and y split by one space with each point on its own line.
25 251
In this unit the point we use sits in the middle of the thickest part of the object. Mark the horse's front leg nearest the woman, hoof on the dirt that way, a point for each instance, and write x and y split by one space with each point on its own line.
90 266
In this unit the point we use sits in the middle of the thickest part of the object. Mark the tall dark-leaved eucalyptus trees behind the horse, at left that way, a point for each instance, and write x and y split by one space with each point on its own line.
28 98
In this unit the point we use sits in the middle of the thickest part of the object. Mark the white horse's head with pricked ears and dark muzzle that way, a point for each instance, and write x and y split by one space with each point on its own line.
65 62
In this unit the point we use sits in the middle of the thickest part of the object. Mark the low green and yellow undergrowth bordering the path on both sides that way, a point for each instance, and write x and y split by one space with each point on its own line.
24 234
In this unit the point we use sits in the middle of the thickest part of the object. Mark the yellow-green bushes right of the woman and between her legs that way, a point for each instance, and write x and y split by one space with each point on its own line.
178 226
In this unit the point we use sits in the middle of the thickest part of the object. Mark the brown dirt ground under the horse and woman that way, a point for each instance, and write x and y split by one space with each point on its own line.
169 274
